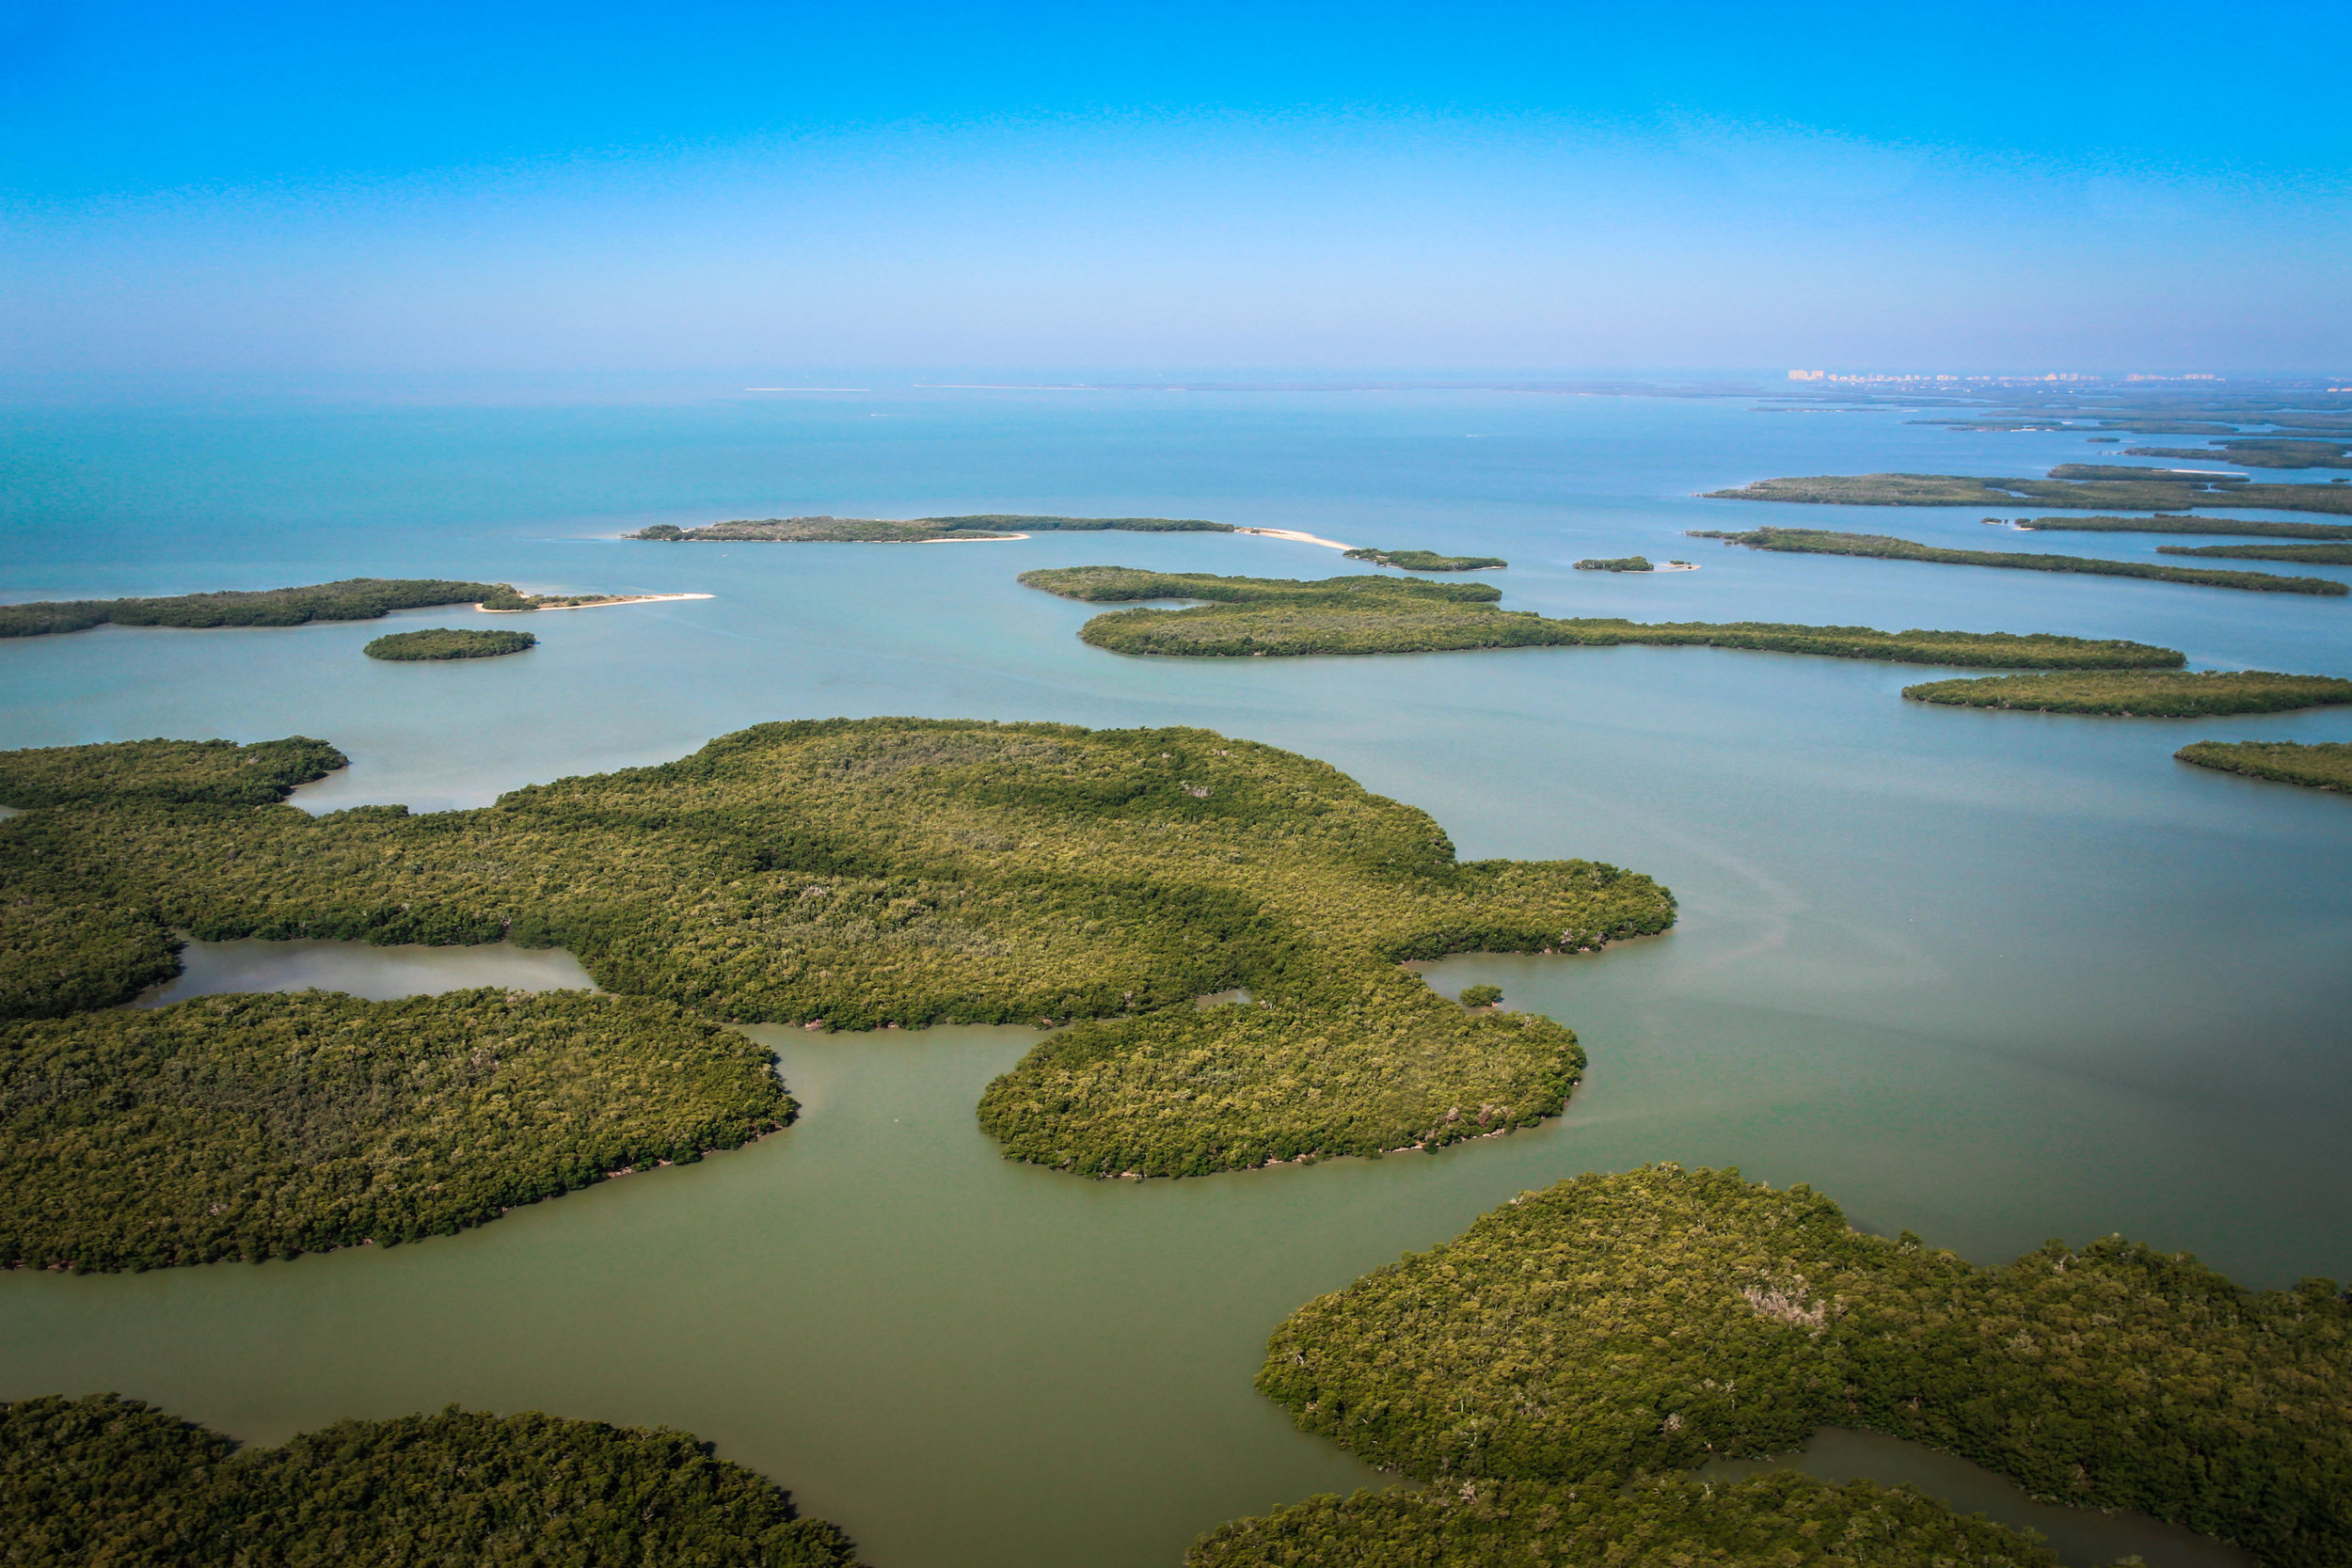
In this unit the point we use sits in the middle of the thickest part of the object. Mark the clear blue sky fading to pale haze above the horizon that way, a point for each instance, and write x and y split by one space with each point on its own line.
1156 187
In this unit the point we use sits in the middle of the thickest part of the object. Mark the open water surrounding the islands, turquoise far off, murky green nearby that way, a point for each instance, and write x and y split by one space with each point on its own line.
1984 977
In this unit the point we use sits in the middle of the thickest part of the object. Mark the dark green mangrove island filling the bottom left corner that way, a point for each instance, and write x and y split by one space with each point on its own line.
116 1485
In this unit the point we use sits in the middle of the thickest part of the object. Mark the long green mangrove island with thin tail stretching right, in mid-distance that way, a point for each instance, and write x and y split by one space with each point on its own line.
1365 615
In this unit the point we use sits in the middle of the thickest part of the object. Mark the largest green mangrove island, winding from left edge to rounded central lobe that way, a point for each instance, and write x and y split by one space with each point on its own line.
907 871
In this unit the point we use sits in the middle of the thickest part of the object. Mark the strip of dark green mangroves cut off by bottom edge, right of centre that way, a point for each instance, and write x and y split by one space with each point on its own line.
1659 1522
